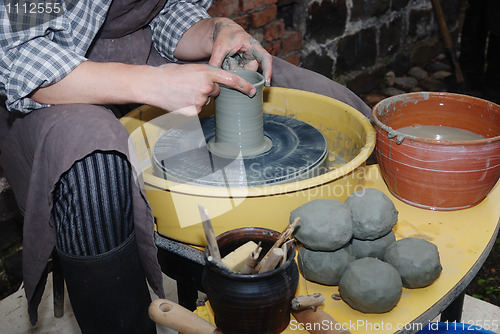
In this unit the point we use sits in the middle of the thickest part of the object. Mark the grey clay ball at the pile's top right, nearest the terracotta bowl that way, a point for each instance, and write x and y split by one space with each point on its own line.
373 213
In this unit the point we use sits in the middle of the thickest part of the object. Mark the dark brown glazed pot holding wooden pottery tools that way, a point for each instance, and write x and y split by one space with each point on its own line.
256 303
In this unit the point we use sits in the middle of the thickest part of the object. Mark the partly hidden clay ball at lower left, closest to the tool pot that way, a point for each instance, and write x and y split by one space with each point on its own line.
324 267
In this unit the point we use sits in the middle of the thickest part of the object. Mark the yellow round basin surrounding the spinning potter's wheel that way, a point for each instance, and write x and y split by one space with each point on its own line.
350 140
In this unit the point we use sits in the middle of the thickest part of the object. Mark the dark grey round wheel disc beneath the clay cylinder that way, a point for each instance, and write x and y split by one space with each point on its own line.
299 151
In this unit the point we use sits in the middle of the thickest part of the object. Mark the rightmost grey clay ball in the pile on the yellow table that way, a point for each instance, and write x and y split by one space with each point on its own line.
417 261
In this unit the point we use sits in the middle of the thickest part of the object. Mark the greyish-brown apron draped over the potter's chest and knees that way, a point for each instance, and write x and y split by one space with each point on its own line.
36 149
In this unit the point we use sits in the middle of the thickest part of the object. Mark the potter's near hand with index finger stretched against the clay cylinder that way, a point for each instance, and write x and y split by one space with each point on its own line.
178 86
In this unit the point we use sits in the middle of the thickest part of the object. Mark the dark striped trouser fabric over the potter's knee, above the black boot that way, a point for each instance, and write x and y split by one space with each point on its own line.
93 205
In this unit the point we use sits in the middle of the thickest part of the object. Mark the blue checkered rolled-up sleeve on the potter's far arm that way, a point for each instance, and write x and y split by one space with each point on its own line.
173 21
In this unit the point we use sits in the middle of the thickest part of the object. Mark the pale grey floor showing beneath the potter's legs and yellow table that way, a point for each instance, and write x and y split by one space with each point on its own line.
15 321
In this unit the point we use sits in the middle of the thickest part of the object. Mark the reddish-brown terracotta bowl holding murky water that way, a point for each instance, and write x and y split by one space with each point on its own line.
438 174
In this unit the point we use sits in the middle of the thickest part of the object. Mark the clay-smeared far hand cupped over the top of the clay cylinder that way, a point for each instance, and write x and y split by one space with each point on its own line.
231 40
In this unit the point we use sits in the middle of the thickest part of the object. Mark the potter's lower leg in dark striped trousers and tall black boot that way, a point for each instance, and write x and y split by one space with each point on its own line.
97 247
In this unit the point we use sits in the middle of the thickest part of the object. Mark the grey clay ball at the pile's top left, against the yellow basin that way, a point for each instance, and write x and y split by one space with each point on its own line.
325 224
